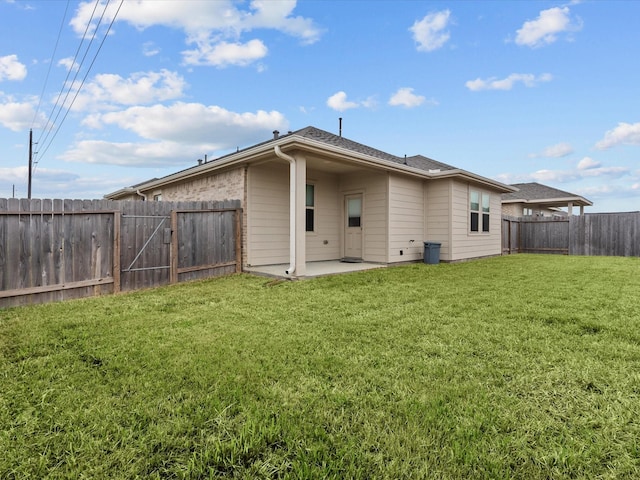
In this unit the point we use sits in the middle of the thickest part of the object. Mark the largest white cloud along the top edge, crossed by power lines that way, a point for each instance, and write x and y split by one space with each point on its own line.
214 28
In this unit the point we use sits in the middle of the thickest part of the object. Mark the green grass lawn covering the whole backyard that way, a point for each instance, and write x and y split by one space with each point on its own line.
523 366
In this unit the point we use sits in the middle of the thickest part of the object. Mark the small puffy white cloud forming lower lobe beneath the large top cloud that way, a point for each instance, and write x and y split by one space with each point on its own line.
224 54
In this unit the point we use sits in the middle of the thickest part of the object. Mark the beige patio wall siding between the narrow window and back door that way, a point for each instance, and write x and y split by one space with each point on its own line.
328 217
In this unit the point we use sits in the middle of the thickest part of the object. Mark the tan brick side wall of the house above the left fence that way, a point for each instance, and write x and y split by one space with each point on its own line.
229 185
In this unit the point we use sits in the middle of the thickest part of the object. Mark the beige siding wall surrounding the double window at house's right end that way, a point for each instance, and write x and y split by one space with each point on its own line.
472 245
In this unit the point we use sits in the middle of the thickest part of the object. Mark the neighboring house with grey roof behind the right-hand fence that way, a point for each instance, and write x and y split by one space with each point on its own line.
537 200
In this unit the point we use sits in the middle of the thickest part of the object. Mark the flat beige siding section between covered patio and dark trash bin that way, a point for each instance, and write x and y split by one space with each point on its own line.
406 218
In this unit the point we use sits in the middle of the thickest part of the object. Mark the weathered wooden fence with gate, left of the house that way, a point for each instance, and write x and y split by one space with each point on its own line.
60 249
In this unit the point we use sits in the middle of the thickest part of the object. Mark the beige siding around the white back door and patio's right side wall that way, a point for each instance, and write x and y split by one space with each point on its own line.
373 187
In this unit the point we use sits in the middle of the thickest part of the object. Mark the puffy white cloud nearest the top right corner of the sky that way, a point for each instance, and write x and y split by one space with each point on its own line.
544 30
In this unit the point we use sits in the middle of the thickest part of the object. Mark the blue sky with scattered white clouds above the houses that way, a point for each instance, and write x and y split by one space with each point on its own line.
517 91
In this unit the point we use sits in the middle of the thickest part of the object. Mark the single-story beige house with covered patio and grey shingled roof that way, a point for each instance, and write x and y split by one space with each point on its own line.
311 196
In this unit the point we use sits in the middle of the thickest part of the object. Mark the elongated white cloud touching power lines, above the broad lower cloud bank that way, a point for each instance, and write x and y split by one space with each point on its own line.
139 88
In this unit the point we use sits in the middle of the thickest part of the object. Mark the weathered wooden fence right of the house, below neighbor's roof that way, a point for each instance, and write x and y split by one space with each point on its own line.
606 234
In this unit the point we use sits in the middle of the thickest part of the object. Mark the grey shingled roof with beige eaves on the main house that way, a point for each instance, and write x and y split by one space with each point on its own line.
315 140
